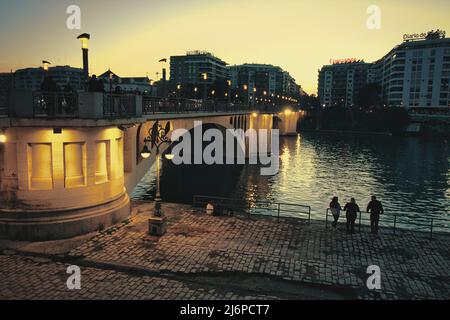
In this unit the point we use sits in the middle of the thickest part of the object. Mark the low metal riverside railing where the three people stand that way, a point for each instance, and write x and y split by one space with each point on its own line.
395 222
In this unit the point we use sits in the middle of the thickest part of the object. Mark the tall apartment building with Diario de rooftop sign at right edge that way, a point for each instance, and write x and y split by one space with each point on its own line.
416 73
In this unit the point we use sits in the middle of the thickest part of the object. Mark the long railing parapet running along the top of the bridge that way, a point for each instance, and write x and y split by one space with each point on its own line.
98 105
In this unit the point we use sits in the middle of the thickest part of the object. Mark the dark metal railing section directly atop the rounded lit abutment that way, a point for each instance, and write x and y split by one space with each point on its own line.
55 104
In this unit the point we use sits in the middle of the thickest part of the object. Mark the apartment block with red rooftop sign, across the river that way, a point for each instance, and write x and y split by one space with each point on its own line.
340 82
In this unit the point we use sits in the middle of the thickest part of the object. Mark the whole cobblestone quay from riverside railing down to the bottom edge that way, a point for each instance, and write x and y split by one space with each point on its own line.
245 257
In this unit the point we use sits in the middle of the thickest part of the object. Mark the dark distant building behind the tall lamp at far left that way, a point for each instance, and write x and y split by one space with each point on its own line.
32 78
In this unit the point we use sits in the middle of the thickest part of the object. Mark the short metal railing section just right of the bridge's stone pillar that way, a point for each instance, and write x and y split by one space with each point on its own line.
119 105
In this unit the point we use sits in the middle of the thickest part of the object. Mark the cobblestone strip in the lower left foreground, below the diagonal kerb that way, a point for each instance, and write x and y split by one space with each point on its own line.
42 279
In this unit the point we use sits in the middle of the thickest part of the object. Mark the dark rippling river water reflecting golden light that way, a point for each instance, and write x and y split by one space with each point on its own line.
411 176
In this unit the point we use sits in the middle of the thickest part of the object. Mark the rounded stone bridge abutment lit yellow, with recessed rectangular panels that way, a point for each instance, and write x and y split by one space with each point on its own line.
61 183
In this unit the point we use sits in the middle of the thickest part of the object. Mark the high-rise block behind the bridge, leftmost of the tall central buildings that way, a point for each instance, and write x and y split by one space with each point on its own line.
191 68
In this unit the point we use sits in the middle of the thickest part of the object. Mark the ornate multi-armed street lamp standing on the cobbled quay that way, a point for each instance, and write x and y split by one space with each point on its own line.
157 136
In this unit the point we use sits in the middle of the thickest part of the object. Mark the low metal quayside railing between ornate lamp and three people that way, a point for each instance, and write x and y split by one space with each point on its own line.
281 209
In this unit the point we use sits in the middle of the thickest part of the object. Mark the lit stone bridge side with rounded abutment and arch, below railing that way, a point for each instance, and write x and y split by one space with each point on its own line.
63 178
